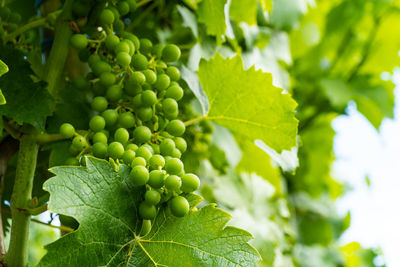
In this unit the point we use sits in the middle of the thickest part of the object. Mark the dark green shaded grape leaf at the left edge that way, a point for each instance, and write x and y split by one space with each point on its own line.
27 101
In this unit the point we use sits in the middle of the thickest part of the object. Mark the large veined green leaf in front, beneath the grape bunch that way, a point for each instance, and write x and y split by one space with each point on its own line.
105 205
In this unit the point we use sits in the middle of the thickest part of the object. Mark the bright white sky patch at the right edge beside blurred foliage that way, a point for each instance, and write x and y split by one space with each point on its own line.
362 152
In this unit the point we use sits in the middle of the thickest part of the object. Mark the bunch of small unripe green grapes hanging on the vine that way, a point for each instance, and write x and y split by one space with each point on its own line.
136 120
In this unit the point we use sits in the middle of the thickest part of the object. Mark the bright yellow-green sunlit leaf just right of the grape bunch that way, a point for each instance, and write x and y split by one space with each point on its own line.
246 102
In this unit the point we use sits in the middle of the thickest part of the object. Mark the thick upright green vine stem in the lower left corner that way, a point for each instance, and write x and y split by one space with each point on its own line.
17 255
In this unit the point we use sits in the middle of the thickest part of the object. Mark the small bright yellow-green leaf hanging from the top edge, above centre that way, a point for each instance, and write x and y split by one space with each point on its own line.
211 13
